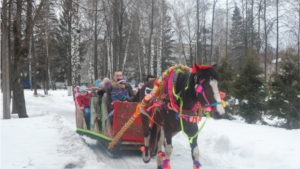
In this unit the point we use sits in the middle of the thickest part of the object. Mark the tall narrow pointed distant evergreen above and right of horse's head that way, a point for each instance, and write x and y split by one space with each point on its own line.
236 39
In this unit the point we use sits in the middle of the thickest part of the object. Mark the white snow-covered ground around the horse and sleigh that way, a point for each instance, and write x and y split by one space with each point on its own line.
47 140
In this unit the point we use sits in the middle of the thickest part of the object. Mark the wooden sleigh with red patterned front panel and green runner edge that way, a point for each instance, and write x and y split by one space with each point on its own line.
122 132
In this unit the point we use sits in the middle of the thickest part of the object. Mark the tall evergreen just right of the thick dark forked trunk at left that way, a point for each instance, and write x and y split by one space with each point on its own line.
46 48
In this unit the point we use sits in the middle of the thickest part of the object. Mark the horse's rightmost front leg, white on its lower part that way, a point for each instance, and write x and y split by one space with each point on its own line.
194 147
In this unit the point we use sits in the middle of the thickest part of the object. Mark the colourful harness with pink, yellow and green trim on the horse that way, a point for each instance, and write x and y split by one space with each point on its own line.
165 86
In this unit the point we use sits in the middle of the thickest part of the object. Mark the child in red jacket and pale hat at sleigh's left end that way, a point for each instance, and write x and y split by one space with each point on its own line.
83 101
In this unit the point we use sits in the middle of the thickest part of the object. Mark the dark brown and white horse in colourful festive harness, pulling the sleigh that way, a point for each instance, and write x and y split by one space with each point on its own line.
194 89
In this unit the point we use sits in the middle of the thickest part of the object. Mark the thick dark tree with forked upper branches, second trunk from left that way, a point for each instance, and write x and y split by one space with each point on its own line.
21 43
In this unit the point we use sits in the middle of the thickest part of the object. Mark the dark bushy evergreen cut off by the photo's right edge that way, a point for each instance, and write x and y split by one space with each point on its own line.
284 101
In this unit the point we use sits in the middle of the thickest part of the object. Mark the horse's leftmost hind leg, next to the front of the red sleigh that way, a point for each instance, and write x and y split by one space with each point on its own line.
146 129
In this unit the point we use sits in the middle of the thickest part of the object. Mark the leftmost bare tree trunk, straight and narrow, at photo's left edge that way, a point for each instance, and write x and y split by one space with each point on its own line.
5 63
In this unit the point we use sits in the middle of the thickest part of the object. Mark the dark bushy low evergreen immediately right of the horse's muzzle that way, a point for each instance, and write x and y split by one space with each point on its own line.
249 91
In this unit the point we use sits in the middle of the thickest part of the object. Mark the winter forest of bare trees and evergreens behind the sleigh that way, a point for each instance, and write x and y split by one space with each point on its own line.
254 42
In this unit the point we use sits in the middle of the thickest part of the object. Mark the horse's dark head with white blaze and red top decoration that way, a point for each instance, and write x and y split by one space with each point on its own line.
207 91
